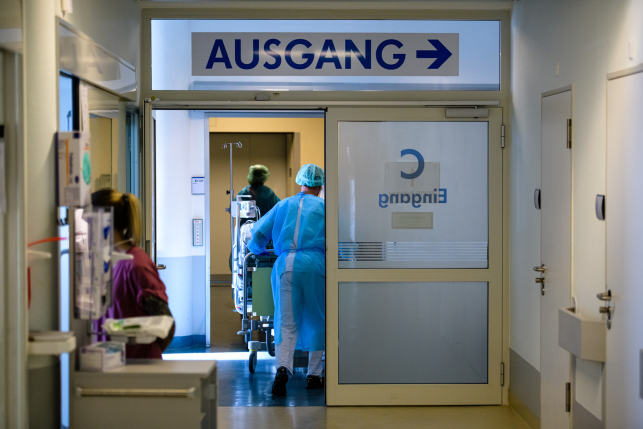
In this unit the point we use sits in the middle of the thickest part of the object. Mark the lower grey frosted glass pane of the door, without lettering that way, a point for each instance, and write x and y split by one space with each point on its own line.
441 327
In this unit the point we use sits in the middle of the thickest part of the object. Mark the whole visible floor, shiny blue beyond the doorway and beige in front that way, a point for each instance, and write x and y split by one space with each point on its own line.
245 402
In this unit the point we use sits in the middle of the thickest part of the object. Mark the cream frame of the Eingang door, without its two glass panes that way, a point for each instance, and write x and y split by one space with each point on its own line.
415 394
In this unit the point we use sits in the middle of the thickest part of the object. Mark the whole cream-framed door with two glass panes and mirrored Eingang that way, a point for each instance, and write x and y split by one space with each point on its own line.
414 257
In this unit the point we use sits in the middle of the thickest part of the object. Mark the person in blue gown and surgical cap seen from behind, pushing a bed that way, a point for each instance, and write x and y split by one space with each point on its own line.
297 227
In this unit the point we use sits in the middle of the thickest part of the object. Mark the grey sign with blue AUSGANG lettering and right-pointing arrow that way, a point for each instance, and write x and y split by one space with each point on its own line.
325 54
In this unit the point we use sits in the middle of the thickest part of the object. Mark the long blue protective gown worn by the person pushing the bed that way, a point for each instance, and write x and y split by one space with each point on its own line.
296 226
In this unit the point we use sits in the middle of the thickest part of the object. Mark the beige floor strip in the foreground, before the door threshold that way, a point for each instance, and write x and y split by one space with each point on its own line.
495 417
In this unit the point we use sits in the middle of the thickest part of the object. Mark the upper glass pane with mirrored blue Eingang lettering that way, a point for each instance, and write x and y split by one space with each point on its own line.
417 194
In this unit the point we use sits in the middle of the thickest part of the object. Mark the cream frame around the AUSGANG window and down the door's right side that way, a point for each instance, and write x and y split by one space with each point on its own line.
202 100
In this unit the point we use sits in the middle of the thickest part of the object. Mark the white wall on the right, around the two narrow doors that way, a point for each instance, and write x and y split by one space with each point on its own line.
589 39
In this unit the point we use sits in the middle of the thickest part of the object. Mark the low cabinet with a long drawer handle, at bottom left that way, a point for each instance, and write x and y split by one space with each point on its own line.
148 393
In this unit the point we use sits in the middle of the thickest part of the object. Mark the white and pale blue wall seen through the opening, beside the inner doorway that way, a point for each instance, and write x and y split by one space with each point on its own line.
180 156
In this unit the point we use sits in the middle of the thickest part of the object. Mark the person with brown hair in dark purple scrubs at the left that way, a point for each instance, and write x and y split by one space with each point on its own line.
137 288
